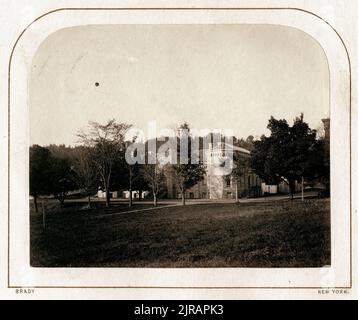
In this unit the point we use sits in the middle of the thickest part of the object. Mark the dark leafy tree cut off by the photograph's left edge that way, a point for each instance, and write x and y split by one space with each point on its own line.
40 168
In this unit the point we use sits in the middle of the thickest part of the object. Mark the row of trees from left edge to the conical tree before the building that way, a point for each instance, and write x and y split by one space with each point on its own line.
99 160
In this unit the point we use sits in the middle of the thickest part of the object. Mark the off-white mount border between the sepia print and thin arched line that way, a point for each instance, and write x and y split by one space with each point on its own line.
21 274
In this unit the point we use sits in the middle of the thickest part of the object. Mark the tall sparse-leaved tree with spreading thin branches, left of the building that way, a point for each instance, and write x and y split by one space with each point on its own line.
108 143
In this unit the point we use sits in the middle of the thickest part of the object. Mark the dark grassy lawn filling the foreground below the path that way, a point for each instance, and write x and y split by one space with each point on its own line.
265 234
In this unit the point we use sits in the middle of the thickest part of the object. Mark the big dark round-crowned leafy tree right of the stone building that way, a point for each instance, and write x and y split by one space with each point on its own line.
289 154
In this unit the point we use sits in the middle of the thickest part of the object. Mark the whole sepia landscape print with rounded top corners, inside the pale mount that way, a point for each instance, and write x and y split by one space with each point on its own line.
179 146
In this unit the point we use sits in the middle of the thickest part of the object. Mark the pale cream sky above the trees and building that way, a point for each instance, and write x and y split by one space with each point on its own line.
212 76
